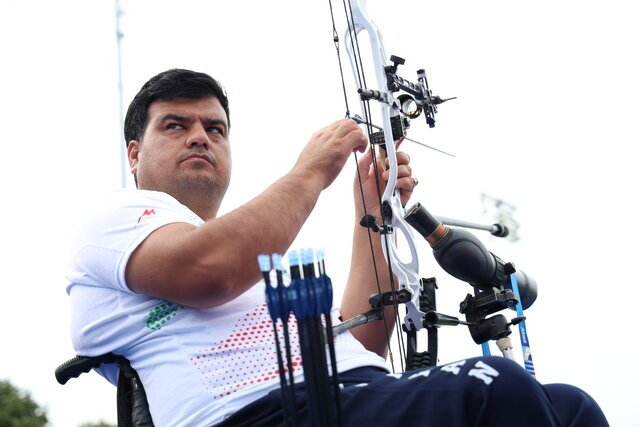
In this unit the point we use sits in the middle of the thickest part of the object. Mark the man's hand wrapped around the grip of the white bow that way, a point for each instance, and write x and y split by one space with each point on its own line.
405 183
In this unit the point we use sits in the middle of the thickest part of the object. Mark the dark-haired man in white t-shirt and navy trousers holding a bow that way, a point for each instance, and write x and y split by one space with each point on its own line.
158 277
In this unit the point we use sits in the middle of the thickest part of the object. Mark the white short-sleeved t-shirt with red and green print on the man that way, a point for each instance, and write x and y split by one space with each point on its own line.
198 366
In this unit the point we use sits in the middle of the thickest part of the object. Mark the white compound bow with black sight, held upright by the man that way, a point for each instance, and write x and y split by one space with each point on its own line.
395 113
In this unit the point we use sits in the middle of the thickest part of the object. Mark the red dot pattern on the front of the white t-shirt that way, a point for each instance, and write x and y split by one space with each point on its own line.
247 356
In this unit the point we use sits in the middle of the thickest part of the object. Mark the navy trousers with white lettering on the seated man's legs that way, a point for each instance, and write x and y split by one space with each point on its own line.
482 391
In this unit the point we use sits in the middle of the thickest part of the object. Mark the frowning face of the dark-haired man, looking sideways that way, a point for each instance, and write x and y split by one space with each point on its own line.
185 148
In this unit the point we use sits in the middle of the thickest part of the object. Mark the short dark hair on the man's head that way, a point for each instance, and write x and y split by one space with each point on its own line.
168 85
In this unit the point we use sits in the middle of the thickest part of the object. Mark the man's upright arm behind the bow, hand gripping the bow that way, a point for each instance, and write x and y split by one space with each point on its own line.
363 280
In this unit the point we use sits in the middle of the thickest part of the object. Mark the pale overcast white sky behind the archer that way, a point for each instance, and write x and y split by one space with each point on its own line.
545 119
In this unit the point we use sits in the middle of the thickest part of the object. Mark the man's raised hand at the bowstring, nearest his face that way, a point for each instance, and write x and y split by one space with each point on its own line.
327 151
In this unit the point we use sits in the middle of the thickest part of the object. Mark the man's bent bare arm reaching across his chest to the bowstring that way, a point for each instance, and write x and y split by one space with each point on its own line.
212 264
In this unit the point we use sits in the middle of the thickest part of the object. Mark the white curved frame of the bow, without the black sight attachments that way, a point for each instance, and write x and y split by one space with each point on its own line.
392 209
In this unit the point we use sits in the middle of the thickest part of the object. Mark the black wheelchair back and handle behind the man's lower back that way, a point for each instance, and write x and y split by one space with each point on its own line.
132 404
